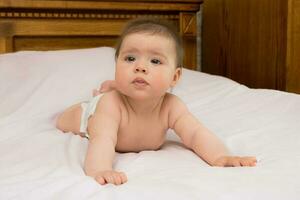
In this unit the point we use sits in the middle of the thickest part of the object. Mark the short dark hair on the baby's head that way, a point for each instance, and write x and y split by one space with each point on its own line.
155 27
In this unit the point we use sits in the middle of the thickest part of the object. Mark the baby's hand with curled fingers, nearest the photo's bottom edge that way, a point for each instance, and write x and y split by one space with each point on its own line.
110 176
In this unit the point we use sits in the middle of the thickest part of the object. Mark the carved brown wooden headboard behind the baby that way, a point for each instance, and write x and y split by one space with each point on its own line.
69 24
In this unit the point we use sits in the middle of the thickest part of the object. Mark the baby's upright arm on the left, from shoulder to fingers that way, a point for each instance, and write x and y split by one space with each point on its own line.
103 128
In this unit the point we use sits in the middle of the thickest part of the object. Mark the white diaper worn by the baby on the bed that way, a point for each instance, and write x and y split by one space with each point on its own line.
88 109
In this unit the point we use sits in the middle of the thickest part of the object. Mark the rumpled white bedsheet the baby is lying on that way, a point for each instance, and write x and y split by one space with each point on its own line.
39 162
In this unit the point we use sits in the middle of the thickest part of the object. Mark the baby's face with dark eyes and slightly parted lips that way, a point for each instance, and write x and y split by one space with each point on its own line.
145 67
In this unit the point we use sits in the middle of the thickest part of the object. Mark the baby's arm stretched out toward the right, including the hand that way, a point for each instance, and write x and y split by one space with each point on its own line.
198 138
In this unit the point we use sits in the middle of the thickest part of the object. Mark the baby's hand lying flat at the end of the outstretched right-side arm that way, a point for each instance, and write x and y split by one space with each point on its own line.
235 161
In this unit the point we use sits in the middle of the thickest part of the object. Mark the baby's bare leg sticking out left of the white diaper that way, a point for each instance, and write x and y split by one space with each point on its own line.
69 120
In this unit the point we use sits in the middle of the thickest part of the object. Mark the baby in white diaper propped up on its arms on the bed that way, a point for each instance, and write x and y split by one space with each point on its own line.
136 111
